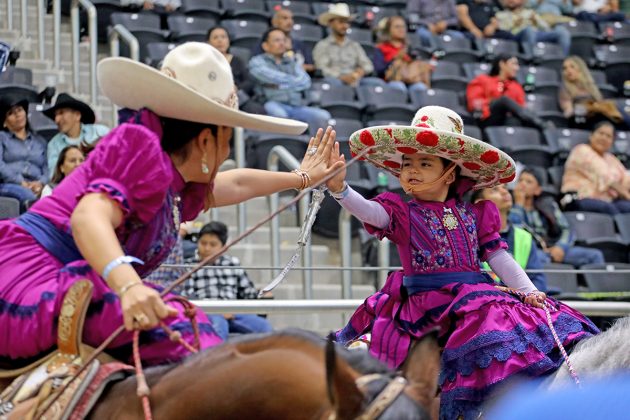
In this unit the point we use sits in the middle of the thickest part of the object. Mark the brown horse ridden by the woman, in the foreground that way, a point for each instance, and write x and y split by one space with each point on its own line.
281 375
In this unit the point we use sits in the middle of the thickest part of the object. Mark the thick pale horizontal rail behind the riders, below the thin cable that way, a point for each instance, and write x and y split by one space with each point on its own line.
348 305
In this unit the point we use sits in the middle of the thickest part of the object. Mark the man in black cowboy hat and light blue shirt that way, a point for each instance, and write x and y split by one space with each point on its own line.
75 120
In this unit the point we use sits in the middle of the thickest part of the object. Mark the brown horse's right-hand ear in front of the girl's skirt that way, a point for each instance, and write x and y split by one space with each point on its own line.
422 369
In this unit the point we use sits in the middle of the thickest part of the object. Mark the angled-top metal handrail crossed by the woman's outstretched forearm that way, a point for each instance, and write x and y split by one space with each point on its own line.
276 154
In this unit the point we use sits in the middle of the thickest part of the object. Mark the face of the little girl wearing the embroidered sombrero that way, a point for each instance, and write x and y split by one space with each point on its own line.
418 169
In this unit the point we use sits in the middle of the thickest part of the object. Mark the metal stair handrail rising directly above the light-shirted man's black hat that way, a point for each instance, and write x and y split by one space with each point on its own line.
93 39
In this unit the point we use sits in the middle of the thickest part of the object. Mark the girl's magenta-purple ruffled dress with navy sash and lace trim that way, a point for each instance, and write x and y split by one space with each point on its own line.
487 335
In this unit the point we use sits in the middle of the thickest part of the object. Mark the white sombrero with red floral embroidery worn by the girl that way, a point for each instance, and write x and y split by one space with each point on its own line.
437 131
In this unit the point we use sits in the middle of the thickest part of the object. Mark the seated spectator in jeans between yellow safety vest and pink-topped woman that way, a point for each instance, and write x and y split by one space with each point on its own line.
548 225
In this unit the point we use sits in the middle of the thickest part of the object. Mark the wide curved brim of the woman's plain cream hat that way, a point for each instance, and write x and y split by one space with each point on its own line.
134 85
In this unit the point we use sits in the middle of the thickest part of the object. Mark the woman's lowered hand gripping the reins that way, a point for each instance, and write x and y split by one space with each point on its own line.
143 308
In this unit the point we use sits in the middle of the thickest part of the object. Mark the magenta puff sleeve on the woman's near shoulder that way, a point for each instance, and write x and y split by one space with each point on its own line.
130 167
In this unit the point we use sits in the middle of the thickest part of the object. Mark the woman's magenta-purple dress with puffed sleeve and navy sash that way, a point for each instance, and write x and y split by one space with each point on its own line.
129 166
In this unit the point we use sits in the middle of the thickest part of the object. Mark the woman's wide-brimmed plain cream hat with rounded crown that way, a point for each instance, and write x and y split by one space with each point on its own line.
195 84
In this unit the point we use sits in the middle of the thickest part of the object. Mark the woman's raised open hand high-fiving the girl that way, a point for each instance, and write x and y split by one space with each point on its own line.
317 160
